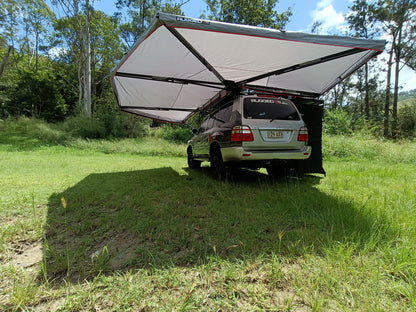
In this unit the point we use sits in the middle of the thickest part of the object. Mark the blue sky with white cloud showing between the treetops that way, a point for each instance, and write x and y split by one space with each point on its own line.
331 13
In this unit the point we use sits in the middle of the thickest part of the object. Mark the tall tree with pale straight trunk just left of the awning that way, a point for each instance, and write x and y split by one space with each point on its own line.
90 39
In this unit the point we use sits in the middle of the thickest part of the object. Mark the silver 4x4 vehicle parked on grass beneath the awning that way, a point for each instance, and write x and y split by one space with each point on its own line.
251 131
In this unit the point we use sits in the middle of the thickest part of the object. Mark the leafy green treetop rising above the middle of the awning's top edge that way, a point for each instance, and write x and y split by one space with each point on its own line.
250 12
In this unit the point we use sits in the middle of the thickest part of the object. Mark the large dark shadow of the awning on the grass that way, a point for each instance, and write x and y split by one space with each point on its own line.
157 218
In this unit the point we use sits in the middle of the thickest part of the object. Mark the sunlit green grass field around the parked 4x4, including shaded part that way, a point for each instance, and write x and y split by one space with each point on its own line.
125 226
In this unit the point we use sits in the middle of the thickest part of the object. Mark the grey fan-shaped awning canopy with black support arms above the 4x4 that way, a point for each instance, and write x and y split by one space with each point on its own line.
181 65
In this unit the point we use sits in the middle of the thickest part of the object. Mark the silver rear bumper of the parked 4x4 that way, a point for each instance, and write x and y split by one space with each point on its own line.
237 154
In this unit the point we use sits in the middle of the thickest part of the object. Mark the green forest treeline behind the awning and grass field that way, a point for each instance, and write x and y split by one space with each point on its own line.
56 58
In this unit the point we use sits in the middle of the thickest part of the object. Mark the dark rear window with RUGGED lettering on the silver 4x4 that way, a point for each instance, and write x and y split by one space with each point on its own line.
269 108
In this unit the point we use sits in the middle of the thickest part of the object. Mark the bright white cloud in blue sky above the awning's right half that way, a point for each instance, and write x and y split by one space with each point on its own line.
333 22
